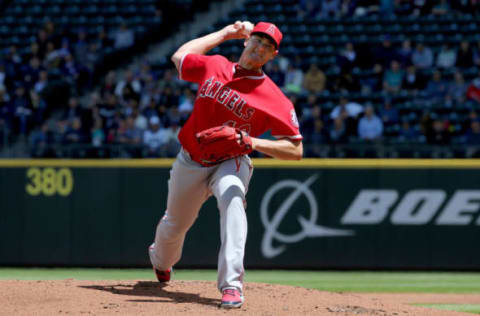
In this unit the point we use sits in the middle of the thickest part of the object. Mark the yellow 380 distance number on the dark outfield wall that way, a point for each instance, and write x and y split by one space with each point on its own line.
49 181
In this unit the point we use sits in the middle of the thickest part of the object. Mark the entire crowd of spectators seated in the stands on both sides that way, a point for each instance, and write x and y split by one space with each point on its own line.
141 110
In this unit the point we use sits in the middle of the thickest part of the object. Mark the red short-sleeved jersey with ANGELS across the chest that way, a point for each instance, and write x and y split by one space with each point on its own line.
252 103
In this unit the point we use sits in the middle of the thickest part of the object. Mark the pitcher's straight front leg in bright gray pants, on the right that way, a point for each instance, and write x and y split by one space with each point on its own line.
229 185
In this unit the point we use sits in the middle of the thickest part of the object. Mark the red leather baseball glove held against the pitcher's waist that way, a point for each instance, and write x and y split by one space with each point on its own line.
221 143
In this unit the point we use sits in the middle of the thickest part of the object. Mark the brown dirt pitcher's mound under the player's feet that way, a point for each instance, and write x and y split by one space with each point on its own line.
73 297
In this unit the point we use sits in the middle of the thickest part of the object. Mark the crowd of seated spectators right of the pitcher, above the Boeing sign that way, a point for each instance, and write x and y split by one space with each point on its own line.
408 70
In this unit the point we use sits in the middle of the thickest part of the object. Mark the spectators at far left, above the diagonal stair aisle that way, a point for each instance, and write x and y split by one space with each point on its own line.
34 80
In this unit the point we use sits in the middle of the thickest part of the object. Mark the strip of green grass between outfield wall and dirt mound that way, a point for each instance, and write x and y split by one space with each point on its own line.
336 281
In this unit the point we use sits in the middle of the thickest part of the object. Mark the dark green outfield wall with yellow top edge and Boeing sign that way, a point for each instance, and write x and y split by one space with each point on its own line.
345 214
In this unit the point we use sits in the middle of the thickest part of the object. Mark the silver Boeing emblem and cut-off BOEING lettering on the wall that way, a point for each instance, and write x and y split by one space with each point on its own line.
368 207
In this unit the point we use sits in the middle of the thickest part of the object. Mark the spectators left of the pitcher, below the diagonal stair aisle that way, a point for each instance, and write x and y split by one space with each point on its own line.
138 110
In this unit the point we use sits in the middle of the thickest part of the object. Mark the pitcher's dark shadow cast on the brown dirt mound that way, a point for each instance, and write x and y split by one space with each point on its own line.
153 289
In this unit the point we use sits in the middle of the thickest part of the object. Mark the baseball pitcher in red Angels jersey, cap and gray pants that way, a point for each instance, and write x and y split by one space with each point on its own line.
235 103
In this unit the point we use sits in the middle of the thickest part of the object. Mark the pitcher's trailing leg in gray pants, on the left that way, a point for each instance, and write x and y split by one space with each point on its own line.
187 191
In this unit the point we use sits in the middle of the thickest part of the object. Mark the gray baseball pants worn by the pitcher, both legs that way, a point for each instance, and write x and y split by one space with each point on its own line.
189 186
